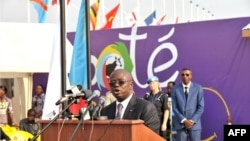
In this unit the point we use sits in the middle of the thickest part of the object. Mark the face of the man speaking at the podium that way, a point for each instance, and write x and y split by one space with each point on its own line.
121 85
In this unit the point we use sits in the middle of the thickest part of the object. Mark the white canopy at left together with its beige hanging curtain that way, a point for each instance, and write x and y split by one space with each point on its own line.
26 48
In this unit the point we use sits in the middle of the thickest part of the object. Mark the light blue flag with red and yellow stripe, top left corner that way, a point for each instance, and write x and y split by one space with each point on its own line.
41 7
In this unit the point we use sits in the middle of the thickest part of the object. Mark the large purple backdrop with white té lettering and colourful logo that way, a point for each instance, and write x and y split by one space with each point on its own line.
214 50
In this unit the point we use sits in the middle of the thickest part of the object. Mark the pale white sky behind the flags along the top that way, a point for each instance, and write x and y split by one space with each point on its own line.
184 10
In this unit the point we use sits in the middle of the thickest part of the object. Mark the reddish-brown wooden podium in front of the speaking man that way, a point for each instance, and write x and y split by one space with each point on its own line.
99 130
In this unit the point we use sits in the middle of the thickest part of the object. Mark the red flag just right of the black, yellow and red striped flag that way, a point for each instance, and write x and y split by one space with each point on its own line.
110 17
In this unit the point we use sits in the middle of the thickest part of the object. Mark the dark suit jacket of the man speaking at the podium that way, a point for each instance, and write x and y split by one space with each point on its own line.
137 109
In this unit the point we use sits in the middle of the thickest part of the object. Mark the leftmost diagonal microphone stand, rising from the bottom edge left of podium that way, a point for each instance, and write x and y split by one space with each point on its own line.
39 133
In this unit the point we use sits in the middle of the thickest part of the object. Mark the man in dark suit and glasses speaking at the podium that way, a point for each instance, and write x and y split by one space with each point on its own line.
133 108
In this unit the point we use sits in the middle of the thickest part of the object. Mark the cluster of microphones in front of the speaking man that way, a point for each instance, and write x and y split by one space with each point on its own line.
87 95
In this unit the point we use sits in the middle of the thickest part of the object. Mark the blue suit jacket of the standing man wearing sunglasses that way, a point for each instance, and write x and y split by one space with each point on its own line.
190 109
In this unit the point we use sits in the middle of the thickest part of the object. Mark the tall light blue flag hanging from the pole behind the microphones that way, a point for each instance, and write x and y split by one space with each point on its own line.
79 64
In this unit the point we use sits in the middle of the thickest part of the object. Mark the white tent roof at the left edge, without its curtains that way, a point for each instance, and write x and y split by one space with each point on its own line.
26 47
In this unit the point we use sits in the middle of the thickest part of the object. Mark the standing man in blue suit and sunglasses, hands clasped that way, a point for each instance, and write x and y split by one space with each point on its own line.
188 106
